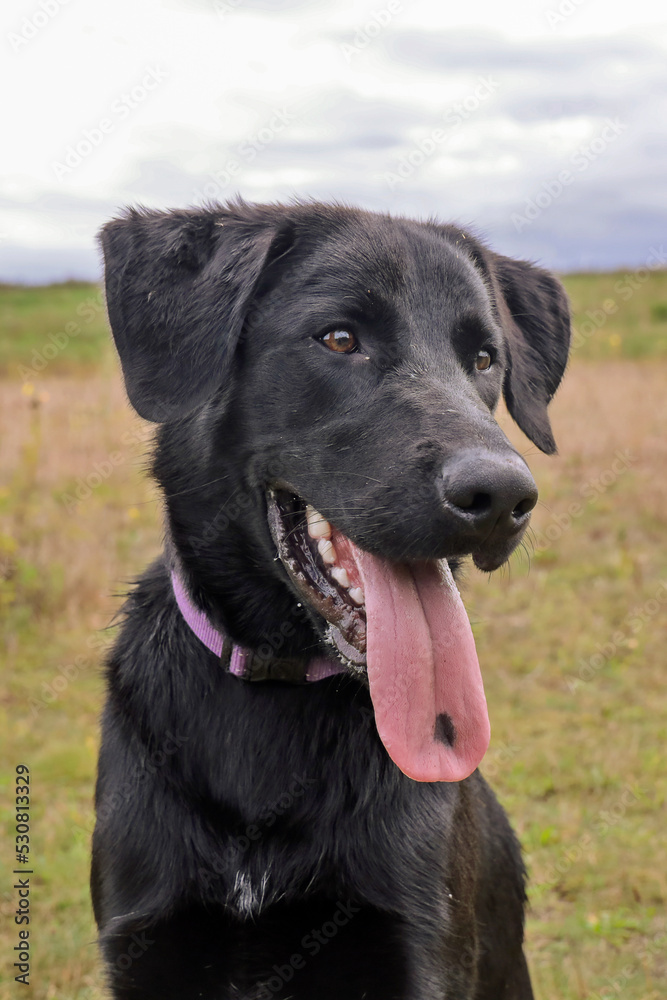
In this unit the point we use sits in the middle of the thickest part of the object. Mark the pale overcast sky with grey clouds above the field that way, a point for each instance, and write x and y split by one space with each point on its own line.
541 123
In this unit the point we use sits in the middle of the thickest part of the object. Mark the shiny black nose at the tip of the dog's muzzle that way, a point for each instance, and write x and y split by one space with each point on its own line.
489 491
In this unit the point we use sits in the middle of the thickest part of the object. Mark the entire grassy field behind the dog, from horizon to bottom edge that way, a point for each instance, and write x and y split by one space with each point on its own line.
571 640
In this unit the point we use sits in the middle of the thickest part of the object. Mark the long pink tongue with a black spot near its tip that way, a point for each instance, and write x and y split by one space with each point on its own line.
423 671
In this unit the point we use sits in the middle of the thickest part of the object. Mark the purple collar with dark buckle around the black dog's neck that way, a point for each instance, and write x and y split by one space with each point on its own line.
246 663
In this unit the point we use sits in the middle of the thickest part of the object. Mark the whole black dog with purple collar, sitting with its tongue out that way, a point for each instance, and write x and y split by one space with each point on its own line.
294 700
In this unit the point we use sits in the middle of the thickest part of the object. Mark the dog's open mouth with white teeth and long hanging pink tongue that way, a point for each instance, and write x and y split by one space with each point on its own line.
401 625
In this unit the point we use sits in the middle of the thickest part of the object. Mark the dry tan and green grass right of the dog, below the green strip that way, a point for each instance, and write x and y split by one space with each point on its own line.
572 648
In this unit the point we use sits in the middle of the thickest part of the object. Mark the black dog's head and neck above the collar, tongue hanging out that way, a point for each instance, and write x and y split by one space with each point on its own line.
336 372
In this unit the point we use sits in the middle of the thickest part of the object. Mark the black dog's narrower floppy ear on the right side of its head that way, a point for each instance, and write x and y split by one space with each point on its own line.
535 315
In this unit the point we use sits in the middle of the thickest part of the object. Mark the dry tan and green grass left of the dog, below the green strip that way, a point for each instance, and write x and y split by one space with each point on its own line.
59 568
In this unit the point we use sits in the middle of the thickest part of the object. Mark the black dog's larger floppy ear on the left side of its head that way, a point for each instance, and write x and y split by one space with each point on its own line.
178 285
